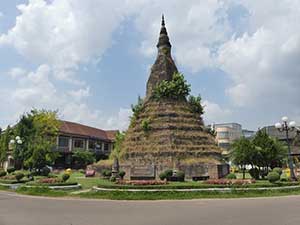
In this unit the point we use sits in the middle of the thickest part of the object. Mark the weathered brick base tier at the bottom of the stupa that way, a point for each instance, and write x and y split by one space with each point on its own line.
147 166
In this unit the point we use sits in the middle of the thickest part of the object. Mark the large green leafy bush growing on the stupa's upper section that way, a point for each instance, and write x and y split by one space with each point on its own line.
177 88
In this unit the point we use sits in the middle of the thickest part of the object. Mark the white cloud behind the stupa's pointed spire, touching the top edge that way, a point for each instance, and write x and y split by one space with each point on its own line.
194 28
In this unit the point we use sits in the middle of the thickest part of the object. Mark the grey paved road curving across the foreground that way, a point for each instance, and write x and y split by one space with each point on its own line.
25 210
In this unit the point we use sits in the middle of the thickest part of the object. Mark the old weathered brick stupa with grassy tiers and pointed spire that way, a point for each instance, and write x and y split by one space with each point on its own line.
176 137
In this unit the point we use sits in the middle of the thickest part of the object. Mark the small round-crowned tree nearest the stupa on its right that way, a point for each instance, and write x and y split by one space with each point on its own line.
242 153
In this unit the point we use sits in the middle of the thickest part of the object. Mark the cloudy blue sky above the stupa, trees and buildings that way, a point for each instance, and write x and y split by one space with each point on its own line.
91 59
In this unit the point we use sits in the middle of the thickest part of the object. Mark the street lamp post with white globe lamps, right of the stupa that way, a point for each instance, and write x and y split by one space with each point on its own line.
286 126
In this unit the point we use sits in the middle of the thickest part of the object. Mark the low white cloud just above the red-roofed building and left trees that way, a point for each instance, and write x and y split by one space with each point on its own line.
37 90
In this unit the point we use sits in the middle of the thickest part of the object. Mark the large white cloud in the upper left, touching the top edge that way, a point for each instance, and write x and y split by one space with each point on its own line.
64 33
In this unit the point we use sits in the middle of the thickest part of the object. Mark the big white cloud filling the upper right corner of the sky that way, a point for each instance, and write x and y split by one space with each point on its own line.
264 64
